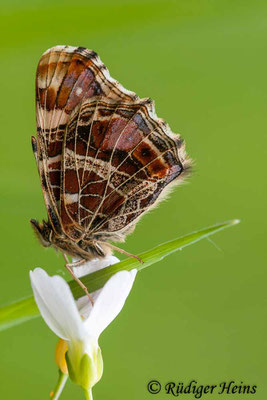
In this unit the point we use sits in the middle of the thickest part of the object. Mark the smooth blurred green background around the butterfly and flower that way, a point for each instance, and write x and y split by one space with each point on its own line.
201 313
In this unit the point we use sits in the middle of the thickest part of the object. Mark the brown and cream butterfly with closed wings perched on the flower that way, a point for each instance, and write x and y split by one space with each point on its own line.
103 156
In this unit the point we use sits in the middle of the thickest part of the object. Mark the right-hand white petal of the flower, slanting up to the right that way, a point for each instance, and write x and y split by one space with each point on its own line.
109 302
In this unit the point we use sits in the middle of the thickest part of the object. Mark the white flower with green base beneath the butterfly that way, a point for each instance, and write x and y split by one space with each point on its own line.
80 324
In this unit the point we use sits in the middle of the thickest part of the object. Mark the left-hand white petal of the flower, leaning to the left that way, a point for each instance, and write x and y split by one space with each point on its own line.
57 305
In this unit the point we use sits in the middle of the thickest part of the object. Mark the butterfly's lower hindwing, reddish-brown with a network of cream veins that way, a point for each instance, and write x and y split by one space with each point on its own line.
118 158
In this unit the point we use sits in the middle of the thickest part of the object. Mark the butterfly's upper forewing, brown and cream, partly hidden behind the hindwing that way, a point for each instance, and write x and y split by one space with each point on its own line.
65 77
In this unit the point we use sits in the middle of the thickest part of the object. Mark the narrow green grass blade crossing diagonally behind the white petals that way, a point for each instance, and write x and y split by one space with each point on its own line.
26 309
